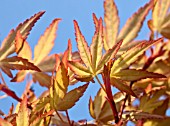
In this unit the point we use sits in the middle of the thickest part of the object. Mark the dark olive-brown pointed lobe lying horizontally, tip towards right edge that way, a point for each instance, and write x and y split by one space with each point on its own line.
134 75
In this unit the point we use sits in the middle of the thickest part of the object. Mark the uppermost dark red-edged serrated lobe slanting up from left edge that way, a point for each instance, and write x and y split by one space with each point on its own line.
7 46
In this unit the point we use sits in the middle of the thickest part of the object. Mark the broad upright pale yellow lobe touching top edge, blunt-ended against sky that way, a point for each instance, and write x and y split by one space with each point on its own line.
112 21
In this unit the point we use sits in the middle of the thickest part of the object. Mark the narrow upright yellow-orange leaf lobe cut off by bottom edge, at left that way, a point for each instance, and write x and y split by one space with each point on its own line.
23 116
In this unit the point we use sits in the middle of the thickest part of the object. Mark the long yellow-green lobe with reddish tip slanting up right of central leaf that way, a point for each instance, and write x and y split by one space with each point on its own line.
130 56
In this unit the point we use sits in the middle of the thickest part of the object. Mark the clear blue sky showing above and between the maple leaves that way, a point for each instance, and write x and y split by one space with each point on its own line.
14 12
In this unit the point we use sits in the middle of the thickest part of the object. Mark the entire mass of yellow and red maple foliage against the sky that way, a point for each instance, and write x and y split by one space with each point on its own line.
142 80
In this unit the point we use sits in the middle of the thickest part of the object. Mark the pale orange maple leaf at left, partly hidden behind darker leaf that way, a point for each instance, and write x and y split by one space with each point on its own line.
41 59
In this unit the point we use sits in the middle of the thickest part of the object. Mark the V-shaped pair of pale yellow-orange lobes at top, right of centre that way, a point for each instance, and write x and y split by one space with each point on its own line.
128 32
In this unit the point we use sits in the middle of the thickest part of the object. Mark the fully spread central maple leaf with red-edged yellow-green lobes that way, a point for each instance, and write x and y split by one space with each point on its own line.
93 60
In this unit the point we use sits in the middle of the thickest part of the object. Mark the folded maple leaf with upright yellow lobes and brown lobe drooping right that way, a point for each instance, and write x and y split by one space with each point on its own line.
60 99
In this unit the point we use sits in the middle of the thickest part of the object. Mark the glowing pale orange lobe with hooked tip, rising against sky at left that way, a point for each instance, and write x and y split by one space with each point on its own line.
41 49
